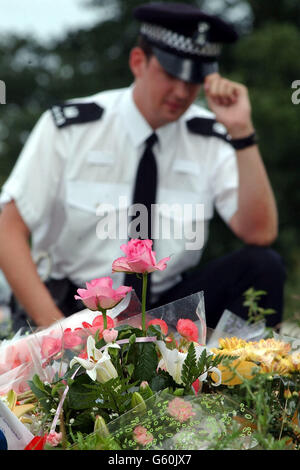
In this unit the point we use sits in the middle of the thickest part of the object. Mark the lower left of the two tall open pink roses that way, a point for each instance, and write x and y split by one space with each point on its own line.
100 294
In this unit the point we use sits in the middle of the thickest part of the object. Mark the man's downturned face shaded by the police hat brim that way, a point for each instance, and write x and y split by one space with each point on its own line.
161 97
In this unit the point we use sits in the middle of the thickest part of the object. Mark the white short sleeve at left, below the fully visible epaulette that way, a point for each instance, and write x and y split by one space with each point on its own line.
35 177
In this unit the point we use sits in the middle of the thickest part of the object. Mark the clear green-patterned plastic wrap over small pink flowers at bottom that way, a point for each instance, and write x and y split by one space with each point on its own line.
168 422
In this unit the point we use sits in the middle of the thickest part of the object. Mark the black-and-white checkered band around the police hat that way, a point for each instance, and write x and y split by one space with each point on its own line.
179 42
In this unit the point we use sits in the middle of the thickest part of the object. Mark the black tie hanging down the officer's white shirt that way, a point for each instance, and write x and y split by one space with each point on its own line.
144 193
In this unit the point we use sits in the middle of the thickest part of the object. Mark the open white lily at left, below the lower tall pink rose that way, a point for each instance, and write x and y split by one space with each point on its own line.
98 365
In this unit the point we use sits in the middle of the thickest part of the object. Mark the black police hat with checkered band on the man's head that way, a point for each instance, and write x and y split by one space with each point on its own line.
185 41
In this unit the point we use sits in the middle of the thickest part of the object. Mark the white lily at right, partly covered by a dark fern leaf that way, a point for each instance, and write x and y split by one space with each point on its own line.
173 360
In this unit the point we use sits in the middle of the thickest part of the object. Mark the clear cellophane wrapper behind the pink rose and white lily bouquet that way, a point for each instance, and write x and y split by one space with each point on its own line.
39 353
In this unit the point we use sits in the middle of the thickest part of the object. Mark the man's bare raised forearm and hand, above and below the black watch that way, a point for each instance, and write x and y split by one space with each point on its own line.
255 221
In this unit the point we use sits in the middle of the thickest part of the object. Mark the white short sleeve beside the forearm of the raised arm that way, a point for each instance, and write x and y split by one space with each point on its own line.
225 181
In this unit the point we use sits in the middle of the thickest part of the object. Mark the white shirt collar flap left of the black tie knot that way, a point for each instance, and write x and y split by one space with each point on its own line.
135 123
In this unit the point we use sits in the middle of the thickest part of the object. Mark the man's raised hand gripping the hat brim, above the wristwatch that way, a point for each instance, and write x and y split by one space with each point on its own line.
229 101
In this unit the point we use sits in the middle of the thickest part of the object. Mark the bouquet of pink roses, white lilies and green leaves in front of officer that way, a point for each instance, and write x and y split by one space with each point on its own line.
98 366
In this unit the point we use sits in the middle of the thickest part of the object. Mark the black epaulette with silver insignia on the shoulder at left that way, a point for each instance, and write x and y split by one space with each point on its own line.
65 114
